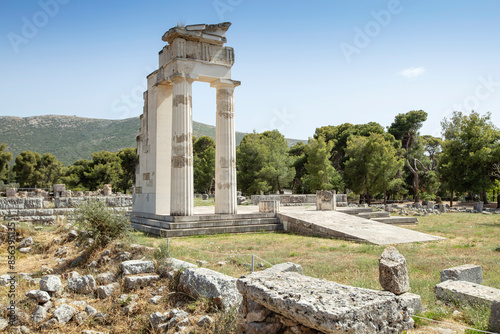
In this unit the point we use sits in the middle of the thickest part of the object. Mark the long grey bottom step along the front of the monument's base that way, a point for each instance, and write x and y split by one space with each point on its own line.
207 230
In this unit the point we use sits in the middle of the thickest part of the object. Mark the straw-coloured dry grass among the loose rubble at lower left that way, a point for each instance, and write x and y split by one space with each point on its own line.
117 321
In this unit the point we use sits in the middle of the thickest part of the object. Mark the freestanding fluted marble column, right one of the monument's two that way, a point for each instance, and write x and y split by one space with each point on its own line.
225 148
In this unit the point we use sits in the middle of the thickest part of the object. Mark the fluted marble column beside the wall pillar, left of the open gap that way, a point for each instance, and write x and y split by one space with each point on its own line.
182 187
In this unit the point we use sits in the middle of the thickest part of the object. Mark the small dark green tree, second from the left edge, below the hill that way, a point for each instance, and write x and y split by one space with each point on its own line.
27 168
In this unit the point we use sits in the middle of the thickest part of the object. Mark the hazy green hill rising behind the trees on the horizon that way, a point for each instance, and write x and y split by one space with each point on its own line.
71 138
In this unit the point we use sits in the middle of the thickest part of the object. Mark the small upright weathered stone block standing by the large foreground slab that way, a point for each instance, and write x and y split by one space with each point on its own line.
393 273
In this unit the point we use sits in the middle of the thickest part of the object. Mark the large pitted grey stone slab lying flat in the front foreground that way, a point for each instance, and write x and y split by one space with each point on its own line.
327 306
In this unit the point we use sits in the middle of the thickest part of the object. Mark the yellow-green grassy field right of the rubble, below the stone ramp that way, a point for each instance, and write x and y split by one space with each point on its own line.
470 238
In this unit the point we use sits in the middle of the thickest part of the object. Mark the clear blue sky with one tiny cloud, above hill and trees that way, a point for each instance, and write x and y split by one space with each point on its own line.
303 64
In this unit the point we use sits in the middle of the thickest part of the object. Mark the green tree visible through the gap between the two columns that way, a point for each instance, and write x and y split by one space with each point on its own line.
204 164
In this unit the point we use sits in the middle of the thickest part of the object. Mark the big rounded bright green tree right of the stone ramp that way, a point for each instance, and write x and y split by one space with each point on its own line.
372 166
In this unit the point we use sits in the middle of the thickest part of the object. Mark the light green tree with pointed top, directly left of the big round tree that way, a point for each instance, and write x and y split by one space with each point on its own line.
321 174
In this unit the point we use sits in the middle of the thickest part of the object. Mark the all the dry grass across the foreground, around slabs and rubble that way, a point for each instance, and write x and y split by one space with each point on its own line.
471 238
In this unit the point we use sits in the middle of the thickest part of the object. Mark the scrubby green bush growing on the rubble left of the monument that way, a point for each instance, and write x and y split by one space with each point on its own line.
101 222
